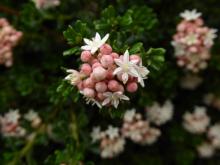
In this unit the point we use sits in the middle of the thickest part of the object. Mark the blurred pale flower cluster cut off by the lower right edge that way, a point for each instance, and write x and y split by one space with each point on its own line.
214 135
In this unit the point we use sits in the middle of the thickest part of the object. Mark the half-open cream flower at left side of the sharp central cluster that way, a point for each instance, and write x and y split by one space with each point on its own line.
74 77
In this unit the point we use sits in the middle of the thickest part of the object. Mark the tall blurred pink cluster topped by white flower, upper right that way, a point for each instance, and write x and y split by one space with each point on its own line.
193 41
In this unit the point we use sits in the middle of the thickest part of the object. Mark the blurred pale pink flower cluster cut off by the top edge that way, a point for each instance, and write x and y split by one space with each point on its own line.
45 4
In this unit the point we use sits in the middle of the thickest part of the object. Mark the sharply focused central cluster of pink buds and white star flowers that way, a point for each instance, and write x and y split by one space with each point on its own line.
105 75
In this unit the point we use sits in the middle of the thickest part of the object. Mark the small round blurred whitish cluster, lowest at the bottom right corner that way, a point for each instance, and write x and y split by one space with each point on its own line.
206 150
